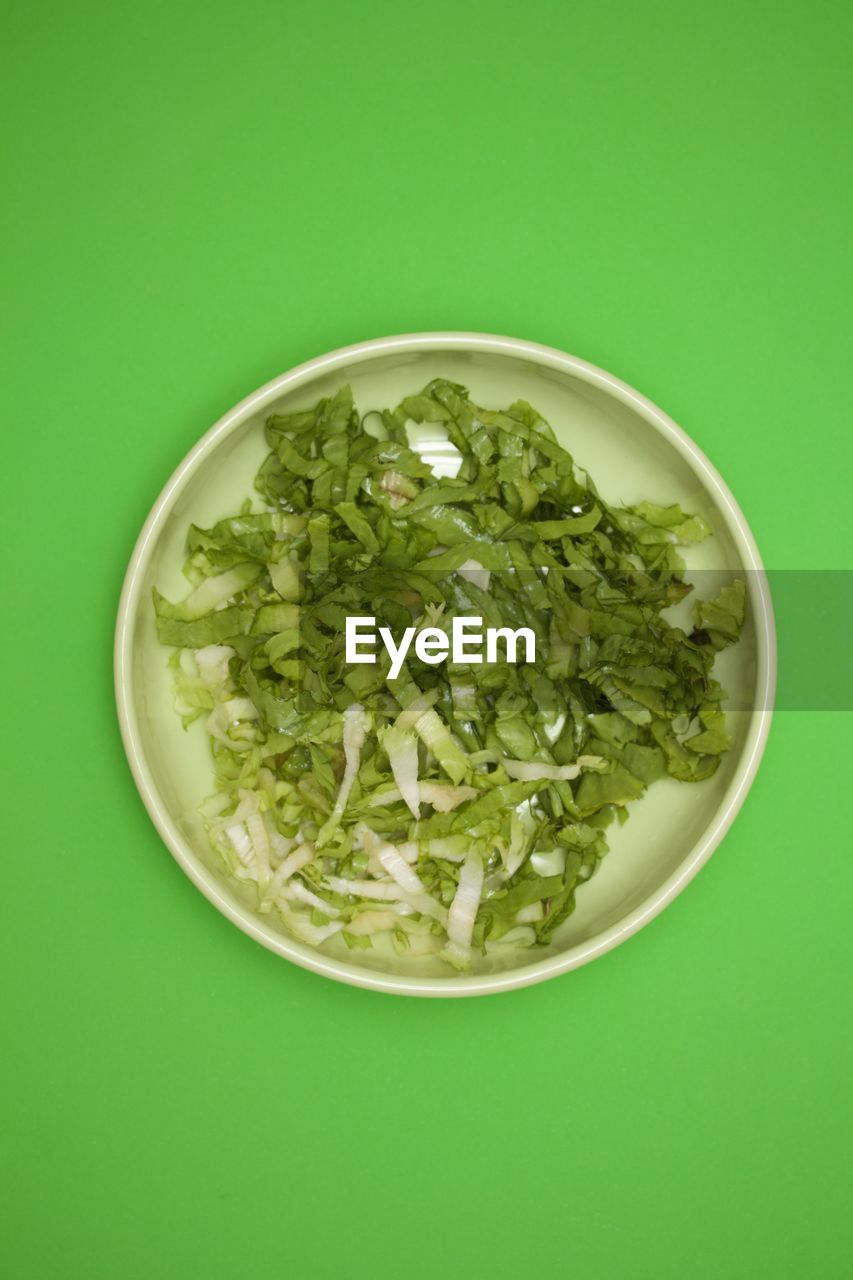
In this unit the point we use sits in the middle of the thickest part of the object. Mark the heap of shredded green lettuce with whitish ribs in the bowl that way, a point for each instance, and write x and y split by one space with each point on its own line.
443 807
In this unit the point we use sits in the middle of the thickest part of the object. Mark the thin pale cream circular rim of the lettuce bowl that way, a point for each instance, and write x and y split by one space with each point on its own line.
656 902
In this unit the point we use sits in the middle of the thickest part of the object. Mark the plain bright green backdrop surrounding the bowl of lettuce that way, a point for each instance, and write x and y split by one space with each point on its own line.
199 196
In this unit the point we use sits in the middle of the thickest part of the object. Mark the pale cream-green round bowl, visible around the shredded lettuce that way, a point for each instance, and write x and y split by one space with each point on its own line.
633 451
